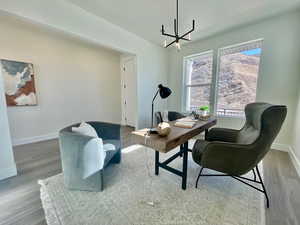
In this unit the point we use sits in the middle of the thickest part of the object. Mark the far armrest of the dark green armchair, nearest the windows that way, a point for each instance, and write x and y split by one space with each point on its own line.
222 134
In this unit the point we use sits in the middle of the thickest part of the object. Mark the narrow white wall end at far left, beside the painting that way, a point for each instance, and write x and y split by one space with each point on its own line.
7 163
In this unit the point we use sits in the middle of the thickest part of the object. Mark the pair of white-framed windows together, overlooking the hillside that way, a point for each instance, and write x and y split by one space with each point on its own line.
231 88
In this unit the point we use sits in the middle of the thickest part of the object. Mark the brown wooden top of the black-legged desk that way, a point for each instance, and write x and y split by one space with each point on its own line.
176 137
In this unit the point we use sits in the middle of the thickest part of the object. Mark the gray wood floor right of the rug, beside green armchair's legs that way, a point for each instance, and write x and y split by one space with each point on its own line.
283 186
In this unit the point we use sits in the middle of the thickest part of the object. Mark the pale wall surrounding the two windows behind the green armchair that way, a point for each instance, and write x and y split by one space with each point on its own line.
279 77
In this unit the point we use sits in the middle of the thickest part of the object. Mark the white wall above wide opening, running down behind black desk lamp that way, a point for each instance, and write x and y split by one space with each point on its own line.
62 15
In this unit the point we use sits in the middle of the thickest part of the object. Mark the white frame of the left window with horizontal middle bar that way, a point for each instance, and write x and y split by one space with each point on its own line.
185 86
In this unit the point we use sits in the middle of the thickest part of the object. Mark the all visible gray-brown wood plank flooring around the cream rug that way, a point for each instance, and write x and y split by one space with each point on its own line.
20 201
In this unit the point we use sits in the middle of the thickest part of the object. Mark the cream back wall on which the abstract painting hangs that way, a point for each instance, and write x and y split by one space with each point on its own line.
75 81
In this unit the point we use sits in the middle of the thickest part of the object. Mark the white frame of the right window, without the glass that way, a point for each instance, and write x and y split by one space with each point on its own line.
217 75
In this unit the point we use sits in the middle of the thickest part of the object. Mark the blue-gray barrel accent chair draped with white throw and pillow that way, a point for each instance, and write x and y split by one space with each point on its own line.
71 147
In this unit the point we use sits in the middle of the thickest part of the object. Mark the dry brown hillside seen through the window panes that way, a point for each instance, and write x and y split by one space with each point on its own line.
237 81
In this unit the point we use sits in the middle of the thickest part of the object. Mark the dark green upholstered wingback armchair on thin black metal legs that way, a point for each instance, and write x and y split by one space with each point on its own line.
236 152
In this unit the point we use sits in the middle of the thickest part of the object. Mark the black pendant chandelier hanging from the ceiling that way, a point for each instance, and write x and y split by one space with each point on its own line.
176 36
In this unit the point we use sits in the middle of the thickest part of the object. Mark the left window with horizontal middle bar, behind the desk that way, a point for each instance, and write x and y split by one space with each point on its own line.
198 78
